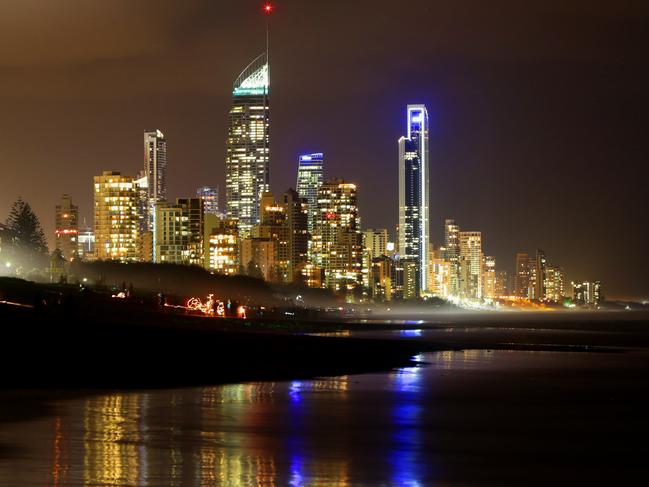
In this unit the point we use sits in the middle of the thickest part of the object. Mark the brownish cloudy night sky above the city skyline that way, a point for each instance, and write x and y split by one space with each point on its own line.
539 109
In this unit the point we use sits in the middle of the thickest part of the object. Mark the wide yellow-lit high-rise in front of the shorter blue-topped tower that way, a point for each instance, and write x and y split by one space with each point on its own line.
337 240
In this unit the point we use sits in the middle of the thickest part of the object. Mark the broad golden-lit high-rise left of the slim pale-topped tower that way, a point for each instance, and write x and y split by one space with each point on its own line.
116 217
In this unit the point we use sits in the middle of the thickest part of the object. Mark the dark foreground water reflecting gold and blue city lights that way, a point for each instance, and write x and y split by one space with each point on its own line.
457 418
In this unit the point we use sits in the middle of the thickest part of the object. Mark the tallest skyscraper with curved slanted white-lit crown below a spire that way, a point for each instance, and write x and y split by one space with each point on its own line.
248 149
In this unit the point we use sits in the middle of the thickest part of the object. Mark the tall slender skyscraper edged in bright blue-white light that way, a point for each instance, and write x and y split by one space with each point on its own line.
414 194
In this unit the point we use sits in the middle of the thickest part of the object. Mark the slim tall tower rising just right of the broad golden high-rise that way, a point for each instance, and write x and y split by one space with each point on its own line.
155 170
